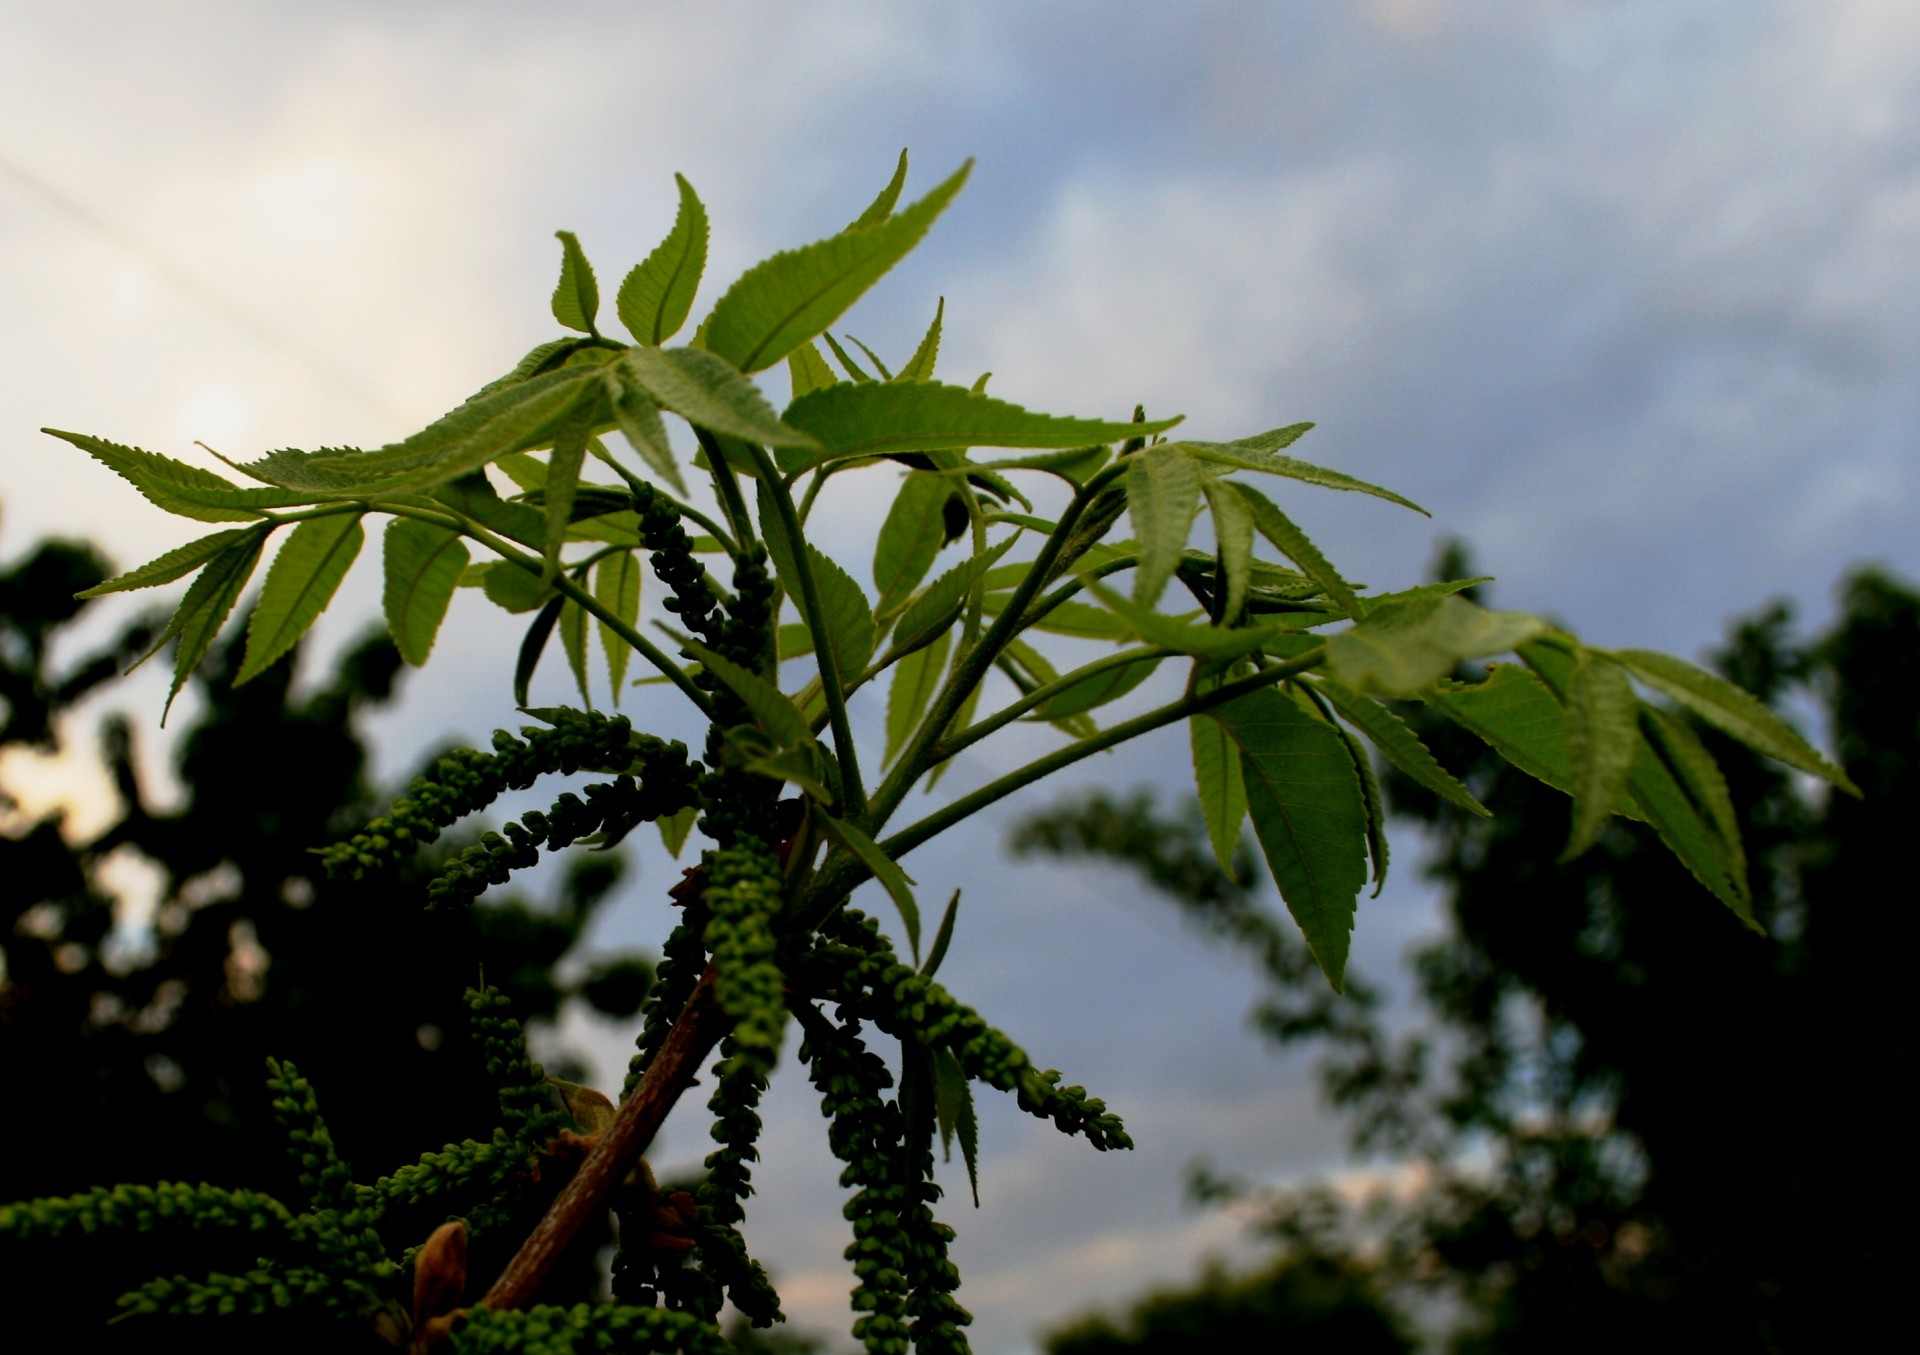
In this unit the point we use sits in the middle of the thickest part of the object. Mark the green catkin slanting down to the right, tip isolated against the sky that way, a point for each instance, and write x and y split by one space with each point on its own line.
855 964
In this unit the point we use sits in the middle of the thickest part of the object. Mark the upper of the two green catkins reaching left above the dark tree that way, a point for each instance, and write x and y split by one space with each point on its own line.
468 780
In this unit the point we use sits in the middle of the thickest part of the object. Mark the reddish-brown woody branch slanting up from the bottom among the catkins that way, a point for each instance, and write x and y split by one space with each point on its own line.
688 1045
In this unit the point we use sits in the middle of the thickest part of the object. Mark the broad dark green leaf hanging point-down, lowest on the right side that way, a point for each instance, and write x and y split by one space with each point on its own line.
1308 815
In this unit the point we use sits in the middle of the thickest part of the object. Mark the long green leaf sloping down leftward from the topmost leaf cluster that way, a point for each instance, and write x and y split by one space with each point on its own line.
481 431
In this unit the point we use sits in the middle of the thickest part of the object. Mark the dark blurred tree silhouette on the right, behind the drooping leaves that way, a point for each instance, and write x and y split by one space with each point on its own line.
1639 1118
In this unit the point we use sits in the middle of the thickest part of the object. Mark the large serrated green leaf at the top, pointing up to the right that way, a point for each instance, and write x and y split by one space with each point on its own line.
786 300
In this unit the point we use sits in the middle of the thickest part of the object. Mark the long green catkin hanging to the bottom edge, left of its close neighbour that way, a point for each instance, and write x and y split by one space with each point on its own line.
865 1133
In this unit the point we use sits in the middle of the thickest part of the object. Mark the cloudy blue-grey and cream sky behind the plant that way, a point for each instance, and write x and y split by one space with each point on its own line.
1627 293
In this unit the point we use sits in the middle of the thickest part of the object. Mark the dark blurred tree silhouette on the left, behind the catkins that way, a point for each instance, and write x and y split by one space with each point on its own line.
141 1053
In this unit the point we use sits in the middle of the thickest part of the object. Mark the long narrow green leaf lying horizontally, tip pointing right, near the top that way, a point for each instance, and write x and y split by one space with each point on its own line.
878 417
